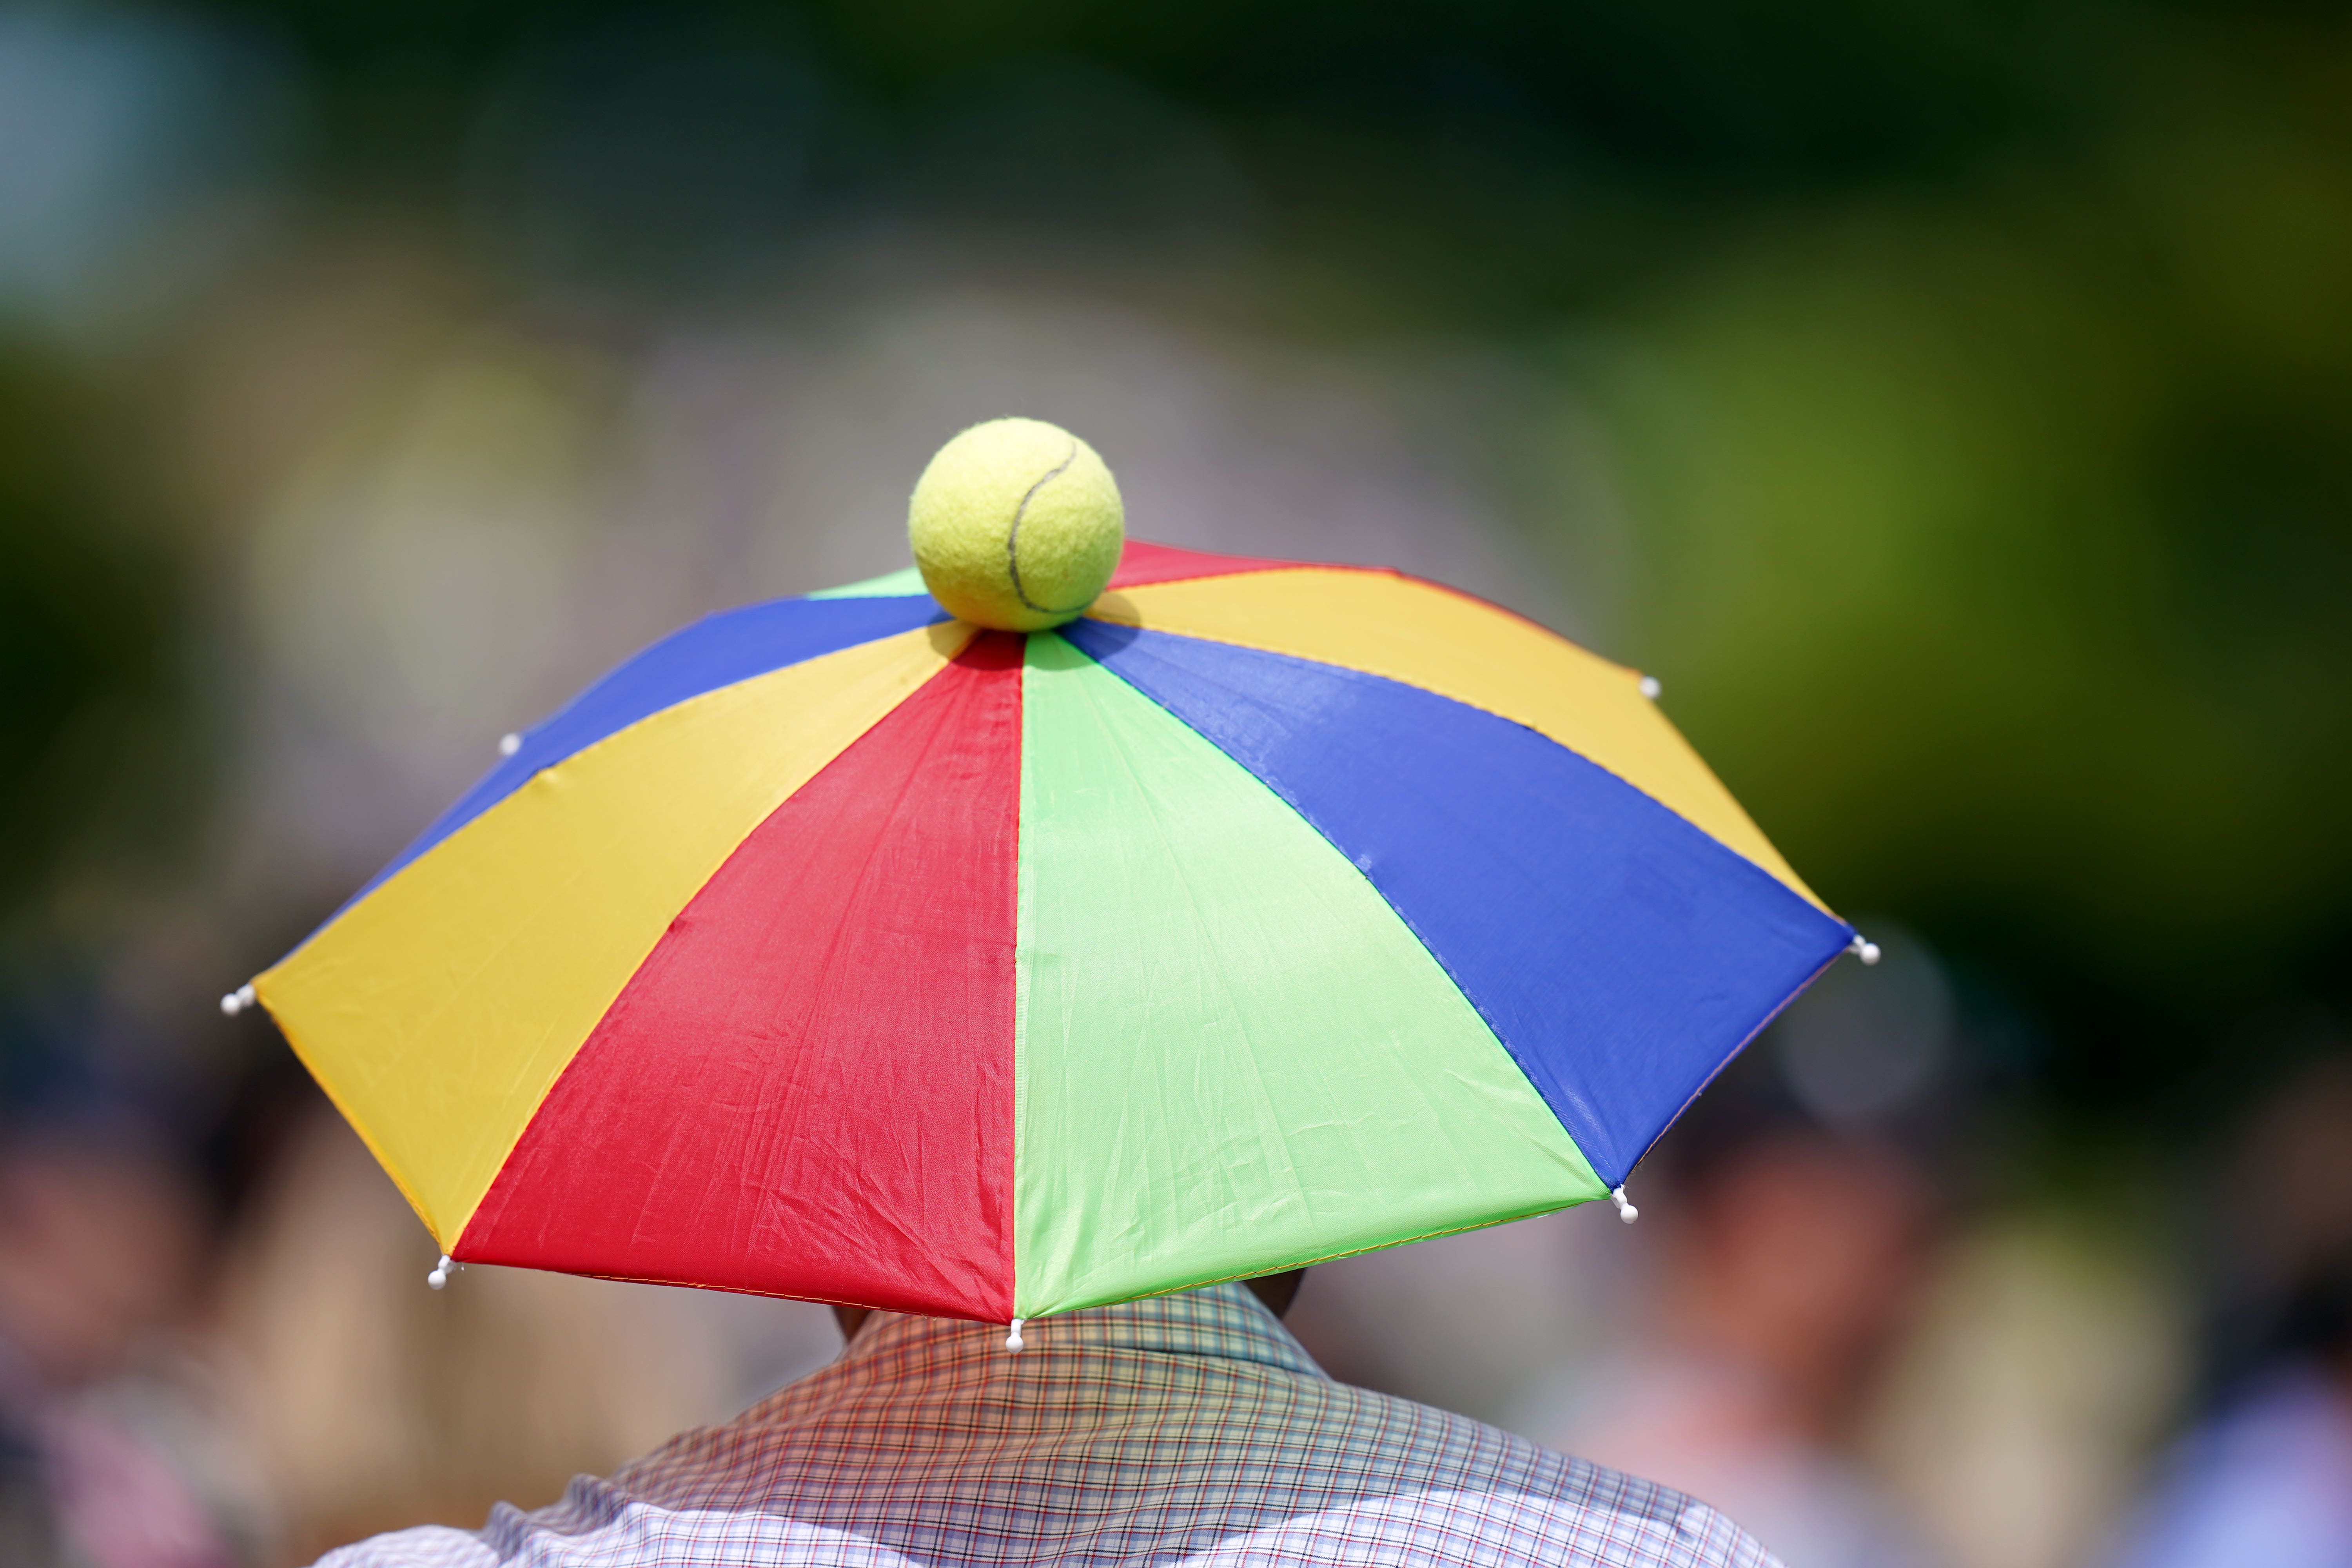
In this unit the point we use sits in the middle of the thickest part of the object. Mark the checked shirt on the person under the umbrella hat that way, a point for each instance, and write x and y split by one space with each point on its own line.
1177 1430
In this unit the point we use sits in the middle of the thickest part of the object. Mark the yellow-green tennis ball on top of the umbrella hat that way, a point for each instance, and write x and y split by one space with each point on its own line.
1017 525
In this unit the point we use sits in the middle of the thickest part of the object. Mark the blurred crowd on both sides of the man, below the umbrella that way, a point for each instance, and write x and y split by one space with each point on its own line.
1826 1322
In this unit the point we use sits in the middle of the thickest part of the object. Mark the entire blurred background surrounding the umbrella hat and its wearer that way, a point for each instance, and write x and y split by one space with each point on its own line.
1951 403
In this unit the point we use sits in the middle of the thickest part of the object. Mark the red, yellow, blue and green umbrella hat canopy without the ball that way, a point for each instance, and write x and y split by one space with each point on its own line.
846 951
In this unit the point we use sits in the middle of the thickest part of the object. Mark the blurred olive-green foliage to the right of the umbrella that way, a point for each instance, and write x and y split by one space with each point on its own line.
2005 549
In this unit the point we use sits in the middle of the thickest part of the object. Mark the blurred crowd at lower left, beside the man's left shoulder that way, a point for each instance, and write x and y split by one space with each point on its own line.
201 1388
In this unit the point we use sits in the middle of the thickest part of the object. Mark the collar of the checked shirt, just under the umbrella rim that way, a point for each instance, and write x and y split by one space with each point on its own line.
1220 1322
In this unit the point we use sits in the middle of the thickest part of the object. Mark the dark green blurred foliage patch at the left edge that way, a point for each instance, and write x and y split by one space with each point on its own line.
95 678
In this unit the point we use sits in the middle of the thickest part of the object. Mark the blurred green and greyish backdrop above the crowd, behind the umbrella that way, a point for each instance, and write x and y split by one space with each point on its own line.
1949 403
